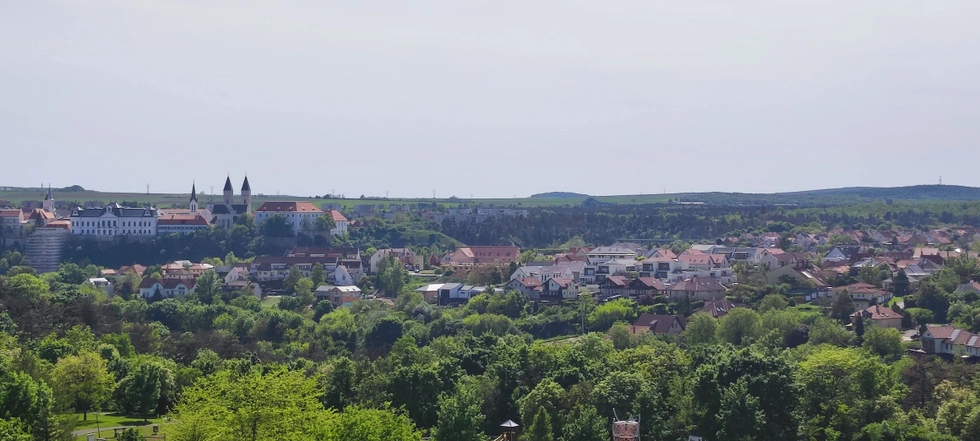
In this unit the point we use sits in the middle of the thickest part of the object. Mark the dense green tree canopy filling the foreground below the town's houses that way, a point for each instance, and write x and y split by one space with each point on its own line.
223 365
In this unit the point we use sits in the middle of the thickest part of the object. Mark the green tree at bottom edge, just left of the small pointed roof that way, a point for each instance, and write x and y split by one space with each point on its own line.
460 416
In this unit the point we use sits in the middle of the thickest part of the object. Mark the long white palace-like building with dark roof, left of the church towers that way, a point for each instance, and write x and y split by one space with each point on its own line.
114 220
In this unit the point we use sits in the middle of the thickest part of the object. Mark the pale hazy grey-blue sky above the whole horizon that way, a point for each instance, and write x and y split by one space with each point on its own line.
490 98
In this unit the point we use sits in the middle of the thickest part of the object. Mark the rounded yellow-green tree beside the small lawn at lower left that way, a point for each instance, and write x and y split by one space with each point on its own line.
83 381
